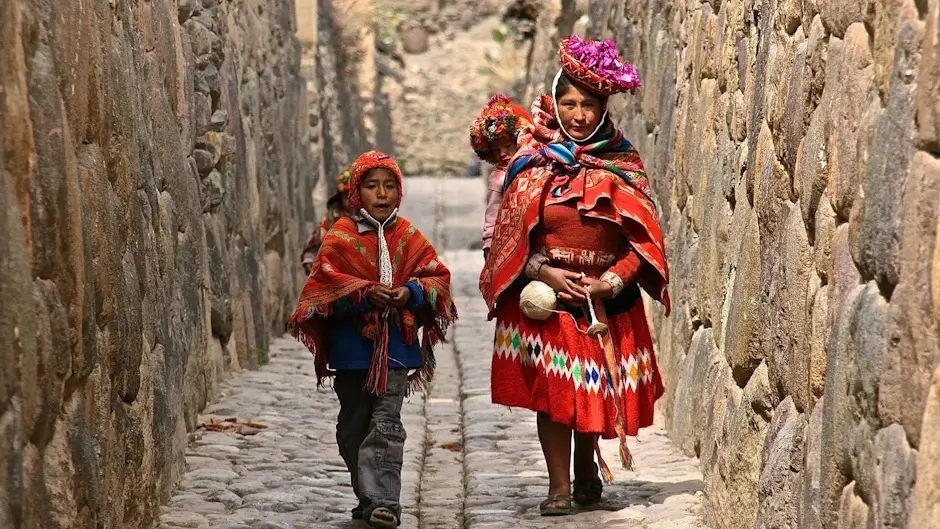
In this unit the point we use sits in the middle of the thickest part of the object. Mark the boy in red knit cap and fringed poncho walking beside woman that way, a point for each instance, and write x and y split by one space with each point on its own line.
374 283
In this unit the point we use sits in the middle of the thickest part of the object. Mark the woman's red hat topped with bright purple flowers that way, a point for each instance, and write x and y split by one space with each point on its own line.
597 66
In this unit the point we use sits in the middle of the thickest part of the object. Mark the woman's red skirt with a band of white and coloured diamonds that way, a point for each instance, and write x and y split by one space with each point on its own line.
554 367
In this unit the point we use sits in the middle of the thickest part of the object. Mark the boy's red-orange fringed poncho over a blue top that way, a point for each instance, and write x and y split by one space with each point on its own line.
344 270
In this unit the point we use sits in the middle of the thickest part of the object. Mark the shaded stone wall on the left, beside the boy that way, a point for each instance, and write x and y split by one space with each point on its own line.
156 172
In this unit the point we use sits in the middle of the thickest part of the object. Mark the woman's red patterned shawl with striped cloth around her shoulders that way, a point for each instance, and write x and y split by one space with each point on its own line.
613 187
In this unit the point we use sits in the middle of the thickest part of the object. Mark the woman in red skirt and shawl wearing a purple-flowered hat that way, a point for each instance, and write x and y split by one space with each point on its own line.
577 216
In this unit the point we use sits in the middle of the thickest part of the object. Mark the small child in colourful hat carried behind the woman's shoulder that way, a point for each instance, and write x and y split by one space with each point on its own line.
493 138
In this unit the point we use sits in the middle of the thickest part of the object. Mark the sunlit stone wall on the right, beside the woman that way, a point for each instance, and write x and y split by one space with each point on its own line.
793 150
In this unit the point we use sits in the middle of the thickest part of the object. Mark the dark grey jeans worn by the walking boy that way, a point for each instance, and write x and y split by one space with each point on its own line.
371 438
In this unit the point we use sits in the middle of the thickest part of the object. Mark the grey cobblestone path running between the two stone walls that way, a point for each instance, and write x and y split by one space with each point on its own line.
468 463
